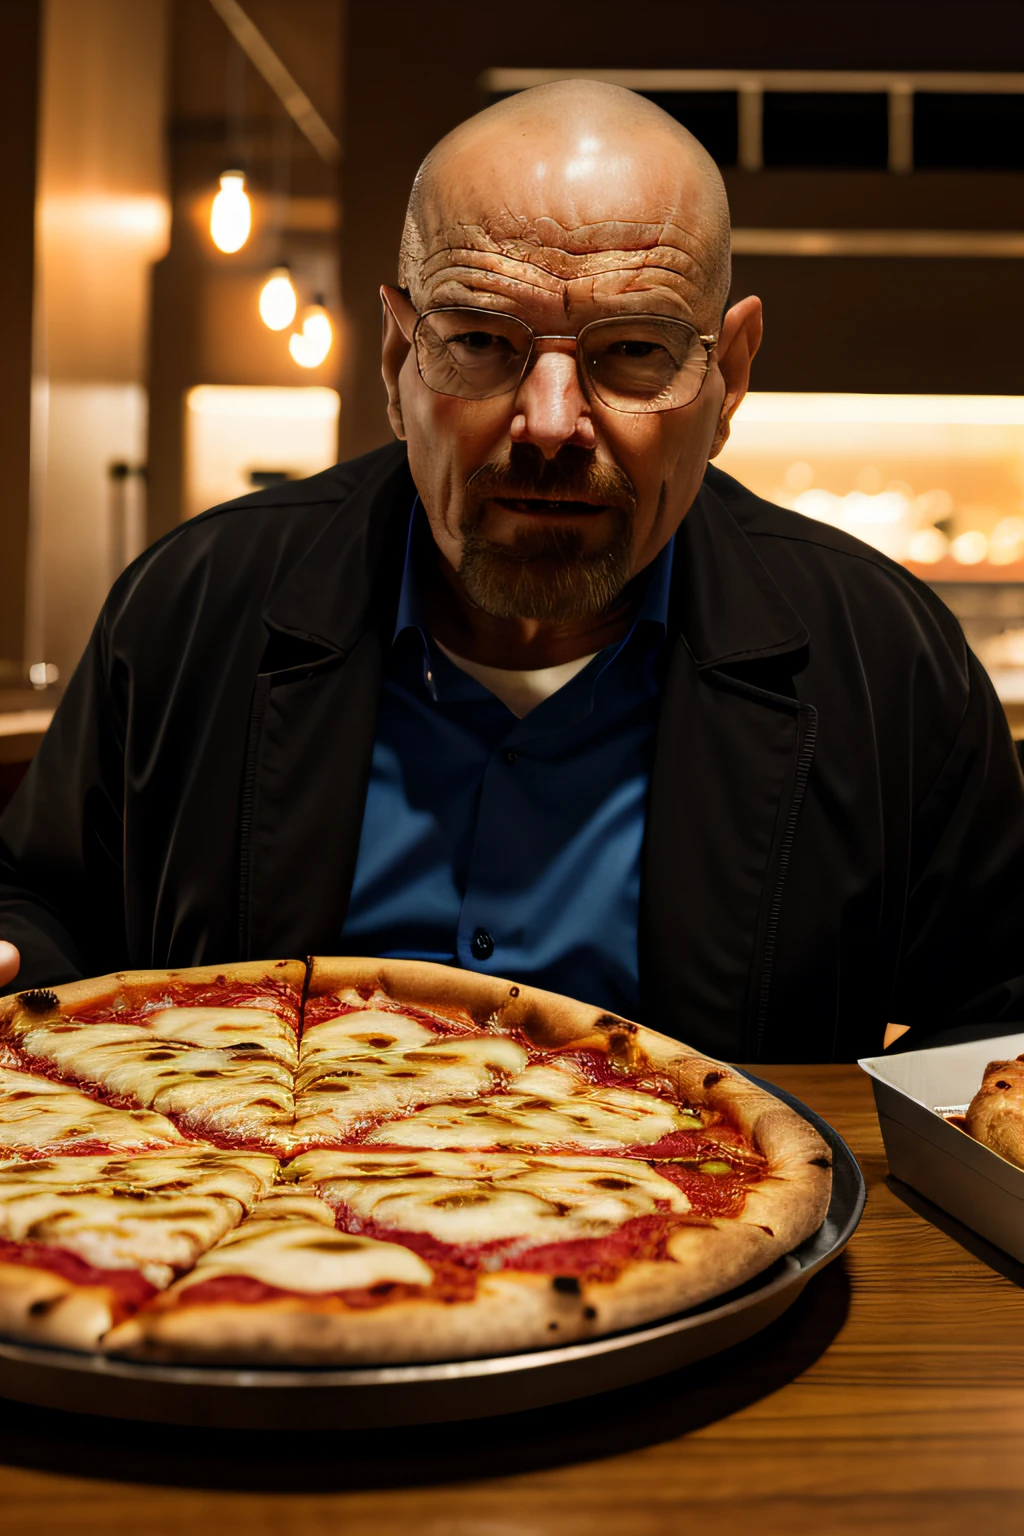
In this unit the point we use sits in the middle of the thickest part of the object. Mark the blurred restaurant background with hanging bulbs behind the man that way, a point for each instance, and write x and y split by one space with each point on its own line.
203 197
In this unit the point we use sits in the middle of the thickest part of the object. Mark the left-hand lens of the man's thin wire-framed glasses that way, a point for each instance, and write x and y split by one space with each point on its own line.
472 354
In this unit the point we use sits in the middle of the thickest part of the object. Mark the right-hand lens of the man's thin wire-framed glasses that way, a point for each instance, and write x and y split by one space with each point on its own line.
646 363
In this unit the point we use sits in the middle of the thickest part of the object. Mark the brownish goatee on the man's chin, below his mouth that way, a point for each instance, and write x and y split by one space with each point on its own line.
546 574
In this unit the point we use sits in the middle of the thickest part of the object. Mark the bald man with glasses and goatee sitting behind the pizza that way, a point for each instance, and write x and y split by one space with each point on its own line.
537 690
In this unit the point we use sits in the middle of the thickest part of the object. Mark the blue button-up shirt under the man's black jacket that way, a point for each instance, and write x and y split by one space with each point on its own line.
512 846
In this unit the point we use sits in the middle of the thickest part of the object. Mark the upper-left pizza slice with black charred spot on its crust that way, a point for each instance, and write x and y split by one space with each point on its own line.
214 1050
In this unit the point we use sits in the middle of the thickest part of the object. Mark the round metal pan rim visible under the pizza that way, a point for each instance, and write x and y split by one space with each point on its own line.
368 1399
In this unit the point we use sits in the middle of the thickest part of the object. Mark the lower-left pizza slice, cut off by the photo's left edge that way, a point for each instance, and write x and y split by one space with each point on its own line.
88 1240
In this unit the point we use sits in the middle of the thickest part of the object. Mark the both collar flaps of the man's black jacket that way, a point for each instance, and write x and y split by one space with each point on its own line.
724 603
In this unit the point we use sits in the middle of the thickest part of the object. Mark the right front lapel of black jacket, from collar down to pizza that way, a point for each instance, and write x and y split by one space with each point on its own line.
732 761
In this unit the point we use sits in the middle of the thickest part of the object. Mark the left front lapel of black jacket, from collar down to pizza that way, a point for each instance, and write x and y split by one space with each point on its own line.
314 718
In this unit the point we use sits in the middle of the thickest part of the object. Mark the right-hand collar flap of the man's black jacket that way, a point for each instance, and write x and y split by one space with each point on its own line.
725 603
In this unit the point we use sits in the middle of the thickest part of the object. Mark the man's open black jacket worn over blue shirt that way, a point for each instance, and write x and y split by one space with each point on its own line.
836 827
